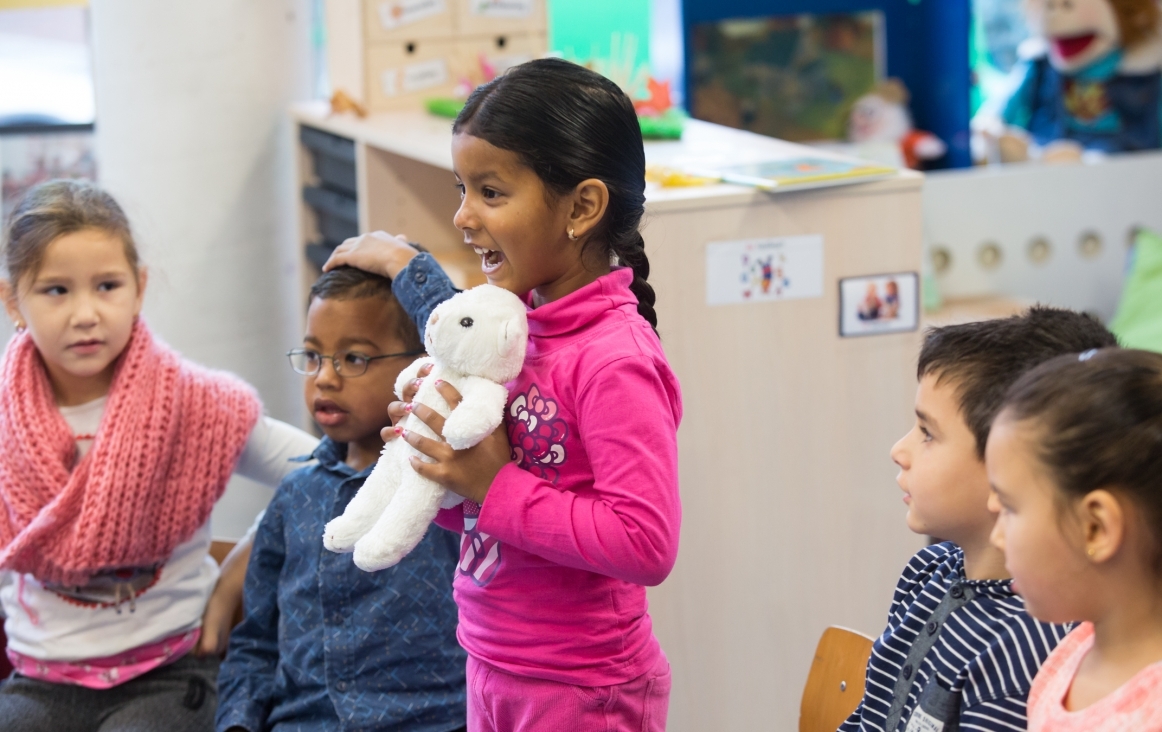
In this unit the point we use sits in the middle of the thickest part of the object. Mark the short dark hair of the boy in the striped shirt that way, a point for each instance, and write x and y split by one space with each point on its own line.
984 360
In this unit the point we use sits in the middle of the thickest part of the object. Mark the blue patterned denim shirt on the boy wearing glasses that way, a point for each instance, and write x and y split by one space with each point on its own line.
326 645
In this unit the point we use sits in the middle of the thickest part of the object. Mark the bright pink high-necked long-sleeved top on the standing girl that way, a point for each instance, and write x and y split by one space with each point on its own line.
554 566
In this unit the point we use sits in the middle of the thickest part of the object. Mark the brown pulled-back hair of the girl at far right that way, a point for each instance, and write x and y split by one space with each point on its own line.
1099 425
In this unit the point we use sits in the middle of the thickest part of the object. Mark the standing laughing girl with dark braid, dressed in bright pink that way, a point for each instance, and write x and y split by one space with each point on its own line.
573 506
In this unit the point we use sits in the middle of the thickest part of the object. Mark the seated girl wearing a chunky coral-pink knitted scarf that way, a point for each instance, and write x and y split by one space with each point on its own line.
113 451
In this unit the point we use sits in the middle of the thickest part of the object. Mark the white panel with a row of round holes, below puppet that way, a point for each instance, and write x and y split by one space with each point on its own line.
1014 205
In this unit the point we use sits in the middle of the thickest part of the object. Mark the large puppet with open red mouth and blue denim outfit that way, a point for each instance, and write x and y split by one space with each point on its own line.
1091 81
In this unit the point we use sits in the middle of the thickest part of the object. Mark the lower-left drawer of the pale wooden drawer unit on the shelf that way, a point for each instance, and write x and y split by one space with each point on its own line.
403 75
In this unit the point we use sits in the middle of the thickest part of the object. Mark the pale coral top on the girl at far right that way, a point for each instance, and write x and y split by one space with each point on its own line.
1136 707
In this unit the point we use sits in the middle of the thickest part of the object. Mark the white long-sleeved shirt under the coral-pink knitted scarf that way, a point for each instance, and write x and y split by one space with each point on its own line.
52 626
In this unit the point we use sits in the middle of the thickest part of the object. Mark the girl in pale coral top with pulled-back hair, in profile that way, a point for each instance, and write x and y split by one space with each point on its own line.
1077 463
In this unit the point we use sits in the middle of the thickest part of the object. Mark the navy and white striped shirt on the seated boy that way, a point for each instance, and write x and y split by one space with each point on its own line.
984 661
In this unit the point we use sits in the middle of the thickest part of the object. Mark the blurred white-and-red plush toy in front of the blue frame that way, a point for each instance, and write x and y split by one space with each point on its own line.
883 118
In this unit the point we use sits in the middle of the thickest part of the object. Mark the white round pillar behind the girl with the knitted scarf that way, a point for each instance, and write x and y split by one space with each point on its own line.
192 139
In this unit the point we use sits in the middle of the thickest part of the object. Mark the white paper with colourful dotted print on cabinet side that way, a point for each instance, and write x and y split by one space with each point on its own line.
785 268
